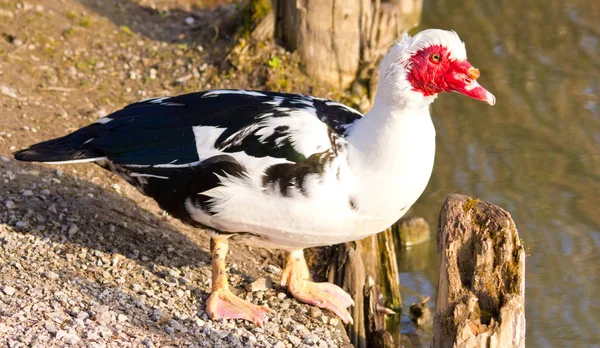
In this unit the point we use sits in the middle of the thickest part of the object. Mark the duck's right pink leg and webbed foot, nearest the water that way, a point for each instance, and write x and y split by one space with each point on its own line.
324 295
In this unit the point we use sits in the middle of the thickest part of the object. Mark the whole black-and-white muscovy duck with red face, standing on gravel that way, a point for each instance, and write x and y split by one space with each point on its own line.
280 170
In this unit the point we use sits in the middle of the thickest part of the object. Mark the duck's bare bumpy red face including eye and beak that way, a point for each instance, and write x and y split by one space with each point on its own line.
433 71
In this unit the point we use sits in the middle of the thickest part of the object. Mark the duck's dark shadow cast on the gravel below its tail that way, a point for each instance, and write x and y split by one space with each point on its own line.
67 209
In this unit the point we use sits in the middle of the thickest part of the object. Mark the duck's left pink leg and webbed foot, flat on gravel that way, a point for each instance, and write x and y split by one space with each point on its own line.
222 303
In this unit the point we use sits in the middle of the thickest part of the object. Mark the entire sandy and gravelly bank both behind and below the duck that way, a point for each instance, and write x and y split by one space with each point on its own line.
85 259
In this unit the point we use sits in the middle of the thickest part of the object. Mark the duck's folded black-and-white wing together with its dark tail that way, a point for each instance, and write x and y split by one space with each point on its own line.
177 147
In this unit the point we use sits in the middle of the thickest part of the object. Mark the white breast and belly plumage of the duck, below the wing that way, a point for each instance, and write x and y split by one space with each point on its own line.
365 189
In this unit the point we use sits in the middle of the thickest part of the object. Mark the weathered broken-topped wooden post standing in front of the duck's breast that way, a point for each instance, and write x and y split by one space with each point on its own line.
481 287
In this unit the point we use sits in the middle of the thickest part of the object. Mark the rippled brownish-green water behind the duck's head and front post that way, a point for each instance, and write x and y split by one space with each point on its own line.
536 153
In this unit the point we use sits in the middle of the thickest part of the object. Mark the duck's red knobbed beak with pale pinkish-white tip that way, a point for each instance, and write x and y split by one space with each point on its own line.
462 78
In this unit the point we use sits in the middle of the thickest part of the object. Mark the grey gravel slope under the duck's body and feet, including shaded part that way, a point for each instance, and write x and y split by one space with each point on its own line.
85 267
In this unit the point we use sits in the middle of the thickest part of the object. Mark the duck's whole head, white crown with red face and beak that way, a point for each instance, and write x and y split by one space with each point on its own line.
418 68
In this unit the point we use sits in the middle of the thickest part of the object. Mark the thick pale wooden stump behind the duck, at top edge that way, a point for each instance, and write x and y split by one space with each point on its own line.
335 37
